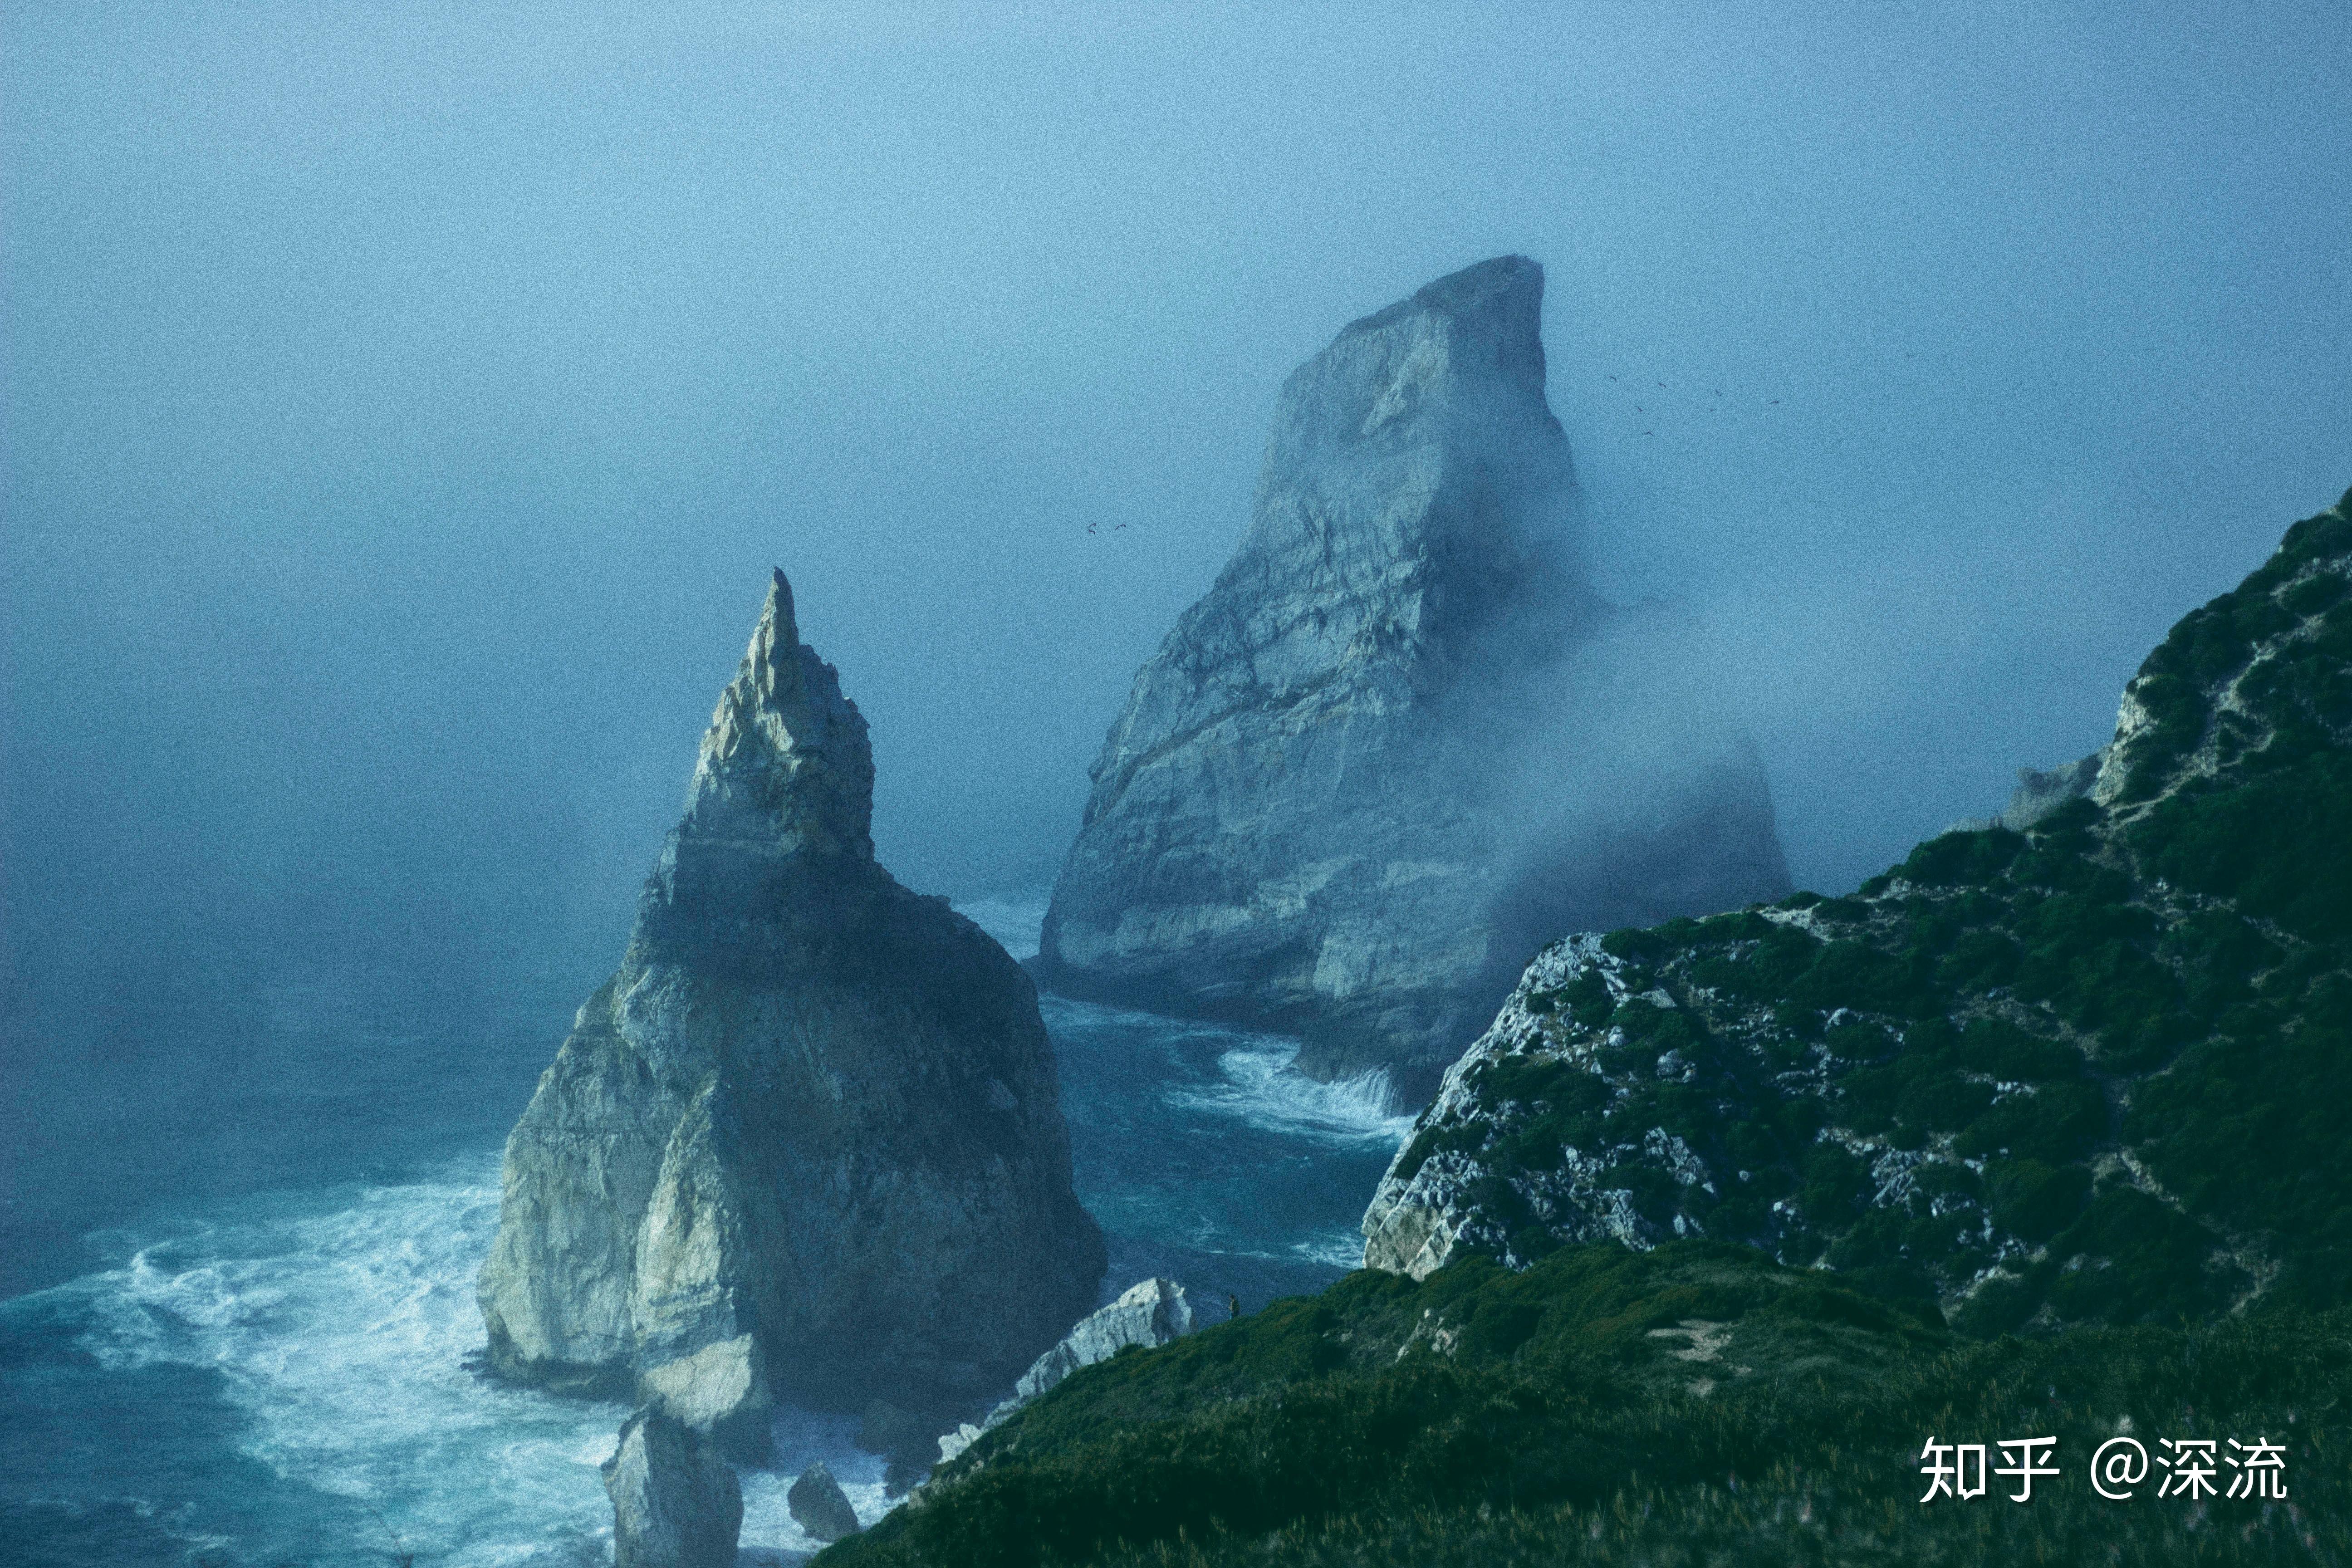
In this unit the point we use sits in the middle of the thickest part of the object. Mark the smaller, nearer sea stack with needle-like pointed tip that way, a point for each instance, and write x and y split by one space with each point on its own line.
808 1139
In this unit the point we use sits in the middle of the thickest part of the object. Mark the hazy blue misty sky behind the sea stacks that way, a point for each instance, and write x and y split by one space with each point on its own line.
406 403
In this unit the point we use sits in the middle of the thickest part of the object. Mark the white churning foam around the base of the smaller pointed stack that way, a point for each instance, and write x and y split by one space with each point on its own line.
340 1334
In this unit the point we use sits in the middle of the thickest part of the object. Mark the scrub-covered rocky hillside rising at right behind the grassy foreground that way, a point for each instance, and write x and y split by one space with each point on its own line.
2054 1068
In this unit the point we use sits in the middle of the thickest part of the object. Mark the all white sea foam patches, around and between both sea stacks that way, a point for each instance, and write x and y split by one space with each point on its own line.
340 1325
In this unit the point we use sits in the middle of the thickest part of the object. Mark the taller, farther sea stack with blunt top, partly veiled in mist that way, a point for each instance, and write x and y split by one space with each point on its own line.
1302 817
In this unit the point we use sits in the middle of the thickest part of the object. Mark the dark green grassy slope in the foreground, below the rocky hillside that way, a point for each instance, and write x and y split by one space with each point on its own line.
1673 1407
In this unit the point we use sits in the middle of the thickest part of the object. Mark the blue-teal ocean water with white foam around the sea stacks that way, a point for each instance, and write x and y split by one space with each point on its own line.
281 1374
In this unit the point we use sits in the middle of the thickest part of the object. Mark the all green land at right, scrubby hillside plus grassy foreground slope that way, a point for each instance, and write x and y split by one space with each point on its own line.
2111 1057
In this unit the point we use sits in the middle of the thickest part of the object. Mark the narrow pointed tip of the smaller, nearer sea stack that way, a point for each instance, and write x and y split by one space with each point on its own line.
784 744
